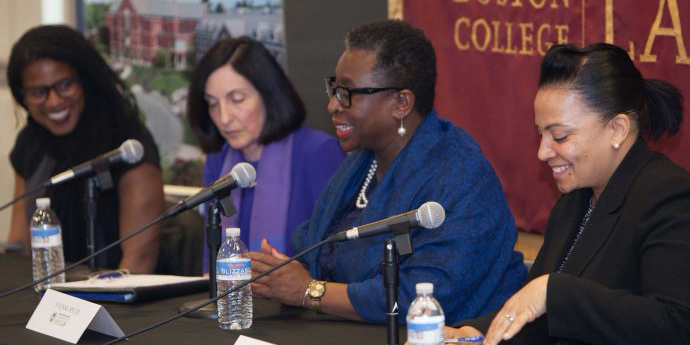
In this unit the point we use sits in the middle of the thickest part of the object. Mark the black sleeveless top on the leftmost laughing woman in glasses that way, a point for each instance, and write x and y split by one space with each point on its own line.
38 155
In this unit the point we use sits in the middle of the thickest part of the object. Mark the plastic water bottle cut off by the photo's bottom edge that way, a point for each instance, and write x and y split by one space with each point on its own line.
425 319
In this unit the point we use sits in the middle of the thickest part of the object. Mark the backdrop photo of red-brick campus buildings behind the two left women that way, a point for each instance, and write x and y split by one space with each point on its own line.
154 45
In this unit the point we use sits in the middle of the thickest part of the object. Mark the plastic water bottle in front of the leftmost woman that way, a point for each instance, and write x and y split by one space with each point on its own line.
46 245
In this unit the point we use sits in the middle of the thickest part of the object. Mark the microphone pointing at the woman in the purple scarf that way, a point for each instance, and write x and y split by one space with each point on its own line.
242 175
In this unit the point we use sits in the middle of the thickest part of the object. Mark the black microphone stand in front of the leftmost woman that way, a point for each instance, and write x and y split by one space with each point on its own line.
101 181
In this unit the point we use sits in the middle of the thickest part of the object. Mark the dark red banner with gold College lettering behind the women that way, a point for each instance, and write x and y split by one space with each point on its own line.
489 53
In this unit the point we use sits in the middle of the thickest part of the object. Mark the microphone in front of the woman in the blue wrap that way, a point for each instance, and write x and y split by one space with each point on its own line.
429 216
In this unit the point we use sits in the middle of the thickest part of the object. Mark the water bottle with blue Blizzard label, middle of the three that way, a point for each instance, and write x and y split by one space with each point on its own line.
234 268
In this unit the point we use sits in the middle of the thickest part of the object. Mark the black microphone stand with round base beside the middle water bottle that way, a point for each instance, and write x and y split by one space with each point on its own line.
213 240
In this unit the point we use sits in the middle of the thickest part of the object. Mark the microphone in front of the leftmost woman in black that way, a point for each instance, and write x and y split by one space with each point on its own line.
130 152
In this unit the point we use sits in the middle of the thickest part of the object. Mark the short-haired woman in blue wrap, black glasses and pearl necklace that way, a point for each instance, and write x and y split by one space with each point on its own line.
402 155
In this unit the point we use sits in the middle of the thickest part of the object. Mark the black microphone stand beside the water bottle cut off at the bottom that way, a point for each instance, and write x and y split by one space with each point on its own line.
392 248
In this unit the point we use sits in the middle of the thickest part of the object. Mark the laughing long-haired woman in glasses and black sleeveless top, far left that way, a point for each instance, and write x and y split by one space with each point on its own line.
78 109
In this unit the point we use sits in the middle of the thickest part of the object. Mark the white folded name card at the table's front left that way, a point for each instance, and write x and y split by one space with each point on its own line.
65 317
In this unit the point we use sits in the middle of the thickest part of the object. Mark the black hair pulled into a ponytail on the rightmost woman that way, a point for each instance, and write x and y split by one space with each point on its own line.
610 84
